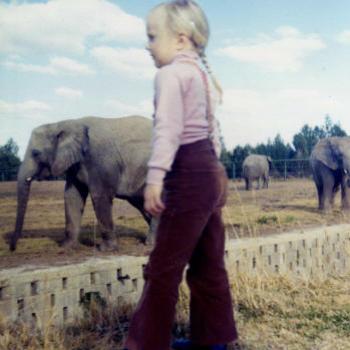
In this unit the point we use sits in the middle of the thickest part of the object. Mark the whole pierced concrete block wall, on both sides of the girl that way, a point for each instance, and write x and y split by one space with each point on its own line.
52 295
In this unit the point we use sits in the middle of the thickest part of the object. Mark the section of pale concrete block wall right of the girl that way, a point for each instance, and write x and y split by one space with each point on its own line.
311 253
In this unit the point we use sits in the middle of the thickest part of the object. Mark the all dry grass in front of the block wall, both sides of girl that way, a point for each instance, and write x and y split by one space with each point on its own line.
272 312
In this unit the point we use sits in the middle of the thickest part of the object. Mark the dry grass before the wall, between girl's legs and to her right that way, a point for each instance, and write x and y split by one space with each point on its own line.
282 312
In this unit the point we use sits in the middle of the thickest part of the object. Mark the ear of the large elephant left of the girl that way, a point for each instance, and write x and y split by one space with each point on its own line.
72 145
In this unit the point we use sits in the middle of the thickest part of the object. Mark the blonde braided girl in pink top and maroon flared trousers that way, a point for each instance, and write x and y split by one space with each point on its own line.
186 187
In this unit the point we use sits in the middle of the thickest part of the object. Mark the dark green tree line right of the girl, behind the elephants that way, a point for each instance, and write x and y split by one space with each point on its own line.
301 147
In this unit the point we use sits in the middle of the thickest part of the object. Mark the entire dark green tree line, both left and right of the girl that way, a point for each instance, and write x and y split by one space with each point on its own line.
301 147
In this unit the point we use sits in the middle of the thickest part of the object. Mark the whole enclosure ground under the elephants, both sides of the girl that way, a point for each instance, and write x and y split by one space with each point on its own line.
285 206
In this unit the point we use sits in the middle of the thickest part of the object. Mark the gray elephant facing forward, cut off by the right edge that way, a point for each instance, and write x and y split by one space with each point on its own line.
330 164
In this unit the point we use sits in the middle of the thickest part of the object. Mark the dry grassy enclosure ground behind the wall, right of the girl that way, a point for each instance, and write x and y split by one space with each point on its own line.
285 206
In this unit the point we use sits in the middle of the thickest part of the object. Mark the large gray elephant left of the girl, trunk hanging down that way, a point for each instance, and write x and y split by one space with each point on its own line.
103 157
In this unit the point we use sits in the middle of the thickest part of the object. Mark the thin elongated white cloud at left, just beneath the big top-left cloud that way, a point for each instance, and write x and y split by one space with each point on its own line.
56 65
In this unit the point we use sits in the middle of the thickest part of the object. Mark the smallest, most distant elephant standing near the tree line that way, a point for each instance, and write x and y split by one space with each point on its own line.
256 167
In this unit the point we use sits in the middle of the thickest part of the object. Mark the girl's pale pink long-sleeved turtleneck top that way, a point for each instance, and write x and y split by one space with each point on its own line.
180 113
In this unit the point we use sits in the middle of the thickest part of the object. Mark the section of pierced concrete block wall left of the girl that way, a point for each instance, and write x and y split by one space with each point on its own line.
52 295
